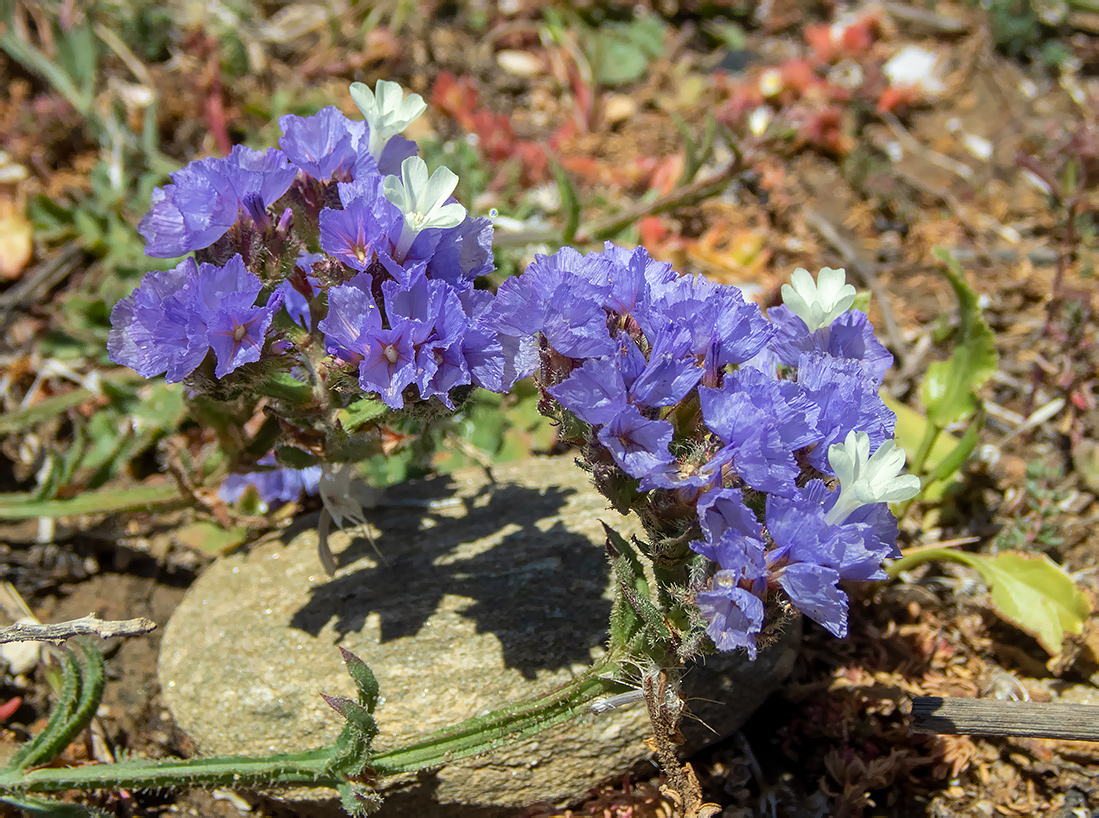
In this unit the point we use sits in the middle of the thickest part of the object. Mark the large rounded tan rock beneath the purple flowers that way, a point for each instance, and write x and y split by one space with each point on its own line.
478 595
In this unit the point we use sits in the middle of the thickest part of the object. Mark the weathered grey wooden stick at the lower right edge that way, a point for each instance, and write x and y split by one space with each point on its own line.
993 717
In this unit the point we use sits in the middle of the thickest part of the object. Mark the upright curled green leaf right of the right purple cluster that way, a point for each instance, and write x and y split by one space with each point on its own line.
949 391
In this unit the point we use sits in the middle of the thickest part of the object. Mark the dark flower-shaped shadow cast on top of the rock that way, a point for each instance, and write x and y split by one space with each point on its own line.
539 590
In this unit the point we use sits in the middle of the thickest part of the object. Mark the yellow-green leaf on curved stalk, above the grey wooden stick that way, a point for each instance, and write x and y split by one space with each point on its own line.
1029 591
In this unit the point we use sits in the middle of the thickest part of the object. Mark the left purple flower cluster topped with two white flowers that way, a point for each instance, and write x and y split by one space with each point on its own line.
380 269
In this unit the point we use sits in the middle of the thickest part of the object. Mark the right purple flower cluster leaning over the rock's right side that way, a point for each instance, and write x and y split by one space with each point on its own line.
719 423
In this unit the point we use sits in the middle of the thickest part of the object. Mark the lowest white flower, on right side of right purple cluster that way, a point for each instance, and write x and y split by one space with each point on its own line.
864 480
